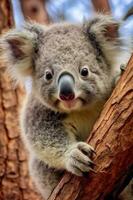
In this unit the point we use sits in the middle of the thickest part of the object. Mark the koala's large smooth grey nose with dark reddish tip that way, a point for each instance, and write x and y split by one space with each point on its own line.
66 87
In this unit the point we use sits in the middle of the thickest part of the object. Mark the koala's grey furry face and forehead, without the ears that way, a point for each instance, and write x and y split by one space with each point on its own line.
67 74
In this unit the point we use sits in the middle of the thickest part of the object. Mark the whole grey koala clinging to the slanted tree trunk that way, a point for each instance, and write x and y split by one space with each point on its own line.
73 69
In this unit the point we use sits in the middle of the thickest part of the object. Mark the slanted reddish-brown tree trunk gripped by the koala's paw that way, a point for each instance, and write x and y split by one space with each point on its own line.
112 138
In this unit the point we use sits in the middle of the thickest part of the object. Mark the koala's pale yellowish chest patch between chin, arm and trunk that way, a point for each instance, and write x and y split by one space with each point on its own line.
80 124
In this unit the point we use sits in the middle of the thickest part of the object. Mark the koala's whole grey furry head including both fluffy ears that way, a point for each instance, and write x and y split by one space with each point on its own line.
71 66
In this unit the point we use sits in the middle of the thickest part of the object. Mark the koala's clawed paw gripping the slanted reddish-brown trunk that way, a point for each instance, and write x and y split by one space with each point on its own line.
78 159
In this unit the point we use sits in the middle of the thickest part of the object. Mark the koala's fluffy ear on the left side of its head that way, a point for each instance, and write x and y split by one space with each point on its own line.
17 49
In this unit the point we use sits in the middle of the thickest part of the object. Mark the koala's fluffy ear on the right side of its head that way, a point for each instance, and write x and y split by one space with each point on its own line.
103 33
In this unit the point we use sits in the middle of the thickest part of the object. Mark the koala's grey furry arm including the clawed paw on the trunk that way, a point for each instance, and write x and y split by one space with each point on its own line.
47 138
